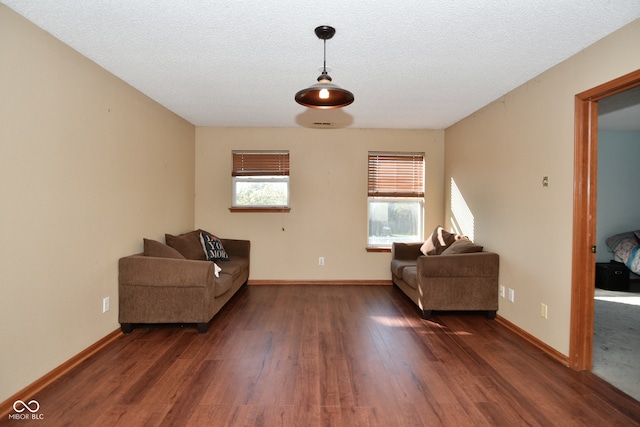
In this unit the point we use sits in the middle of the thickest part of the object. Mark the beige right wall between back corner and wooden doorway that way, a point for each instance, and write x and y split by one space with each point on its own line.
498 157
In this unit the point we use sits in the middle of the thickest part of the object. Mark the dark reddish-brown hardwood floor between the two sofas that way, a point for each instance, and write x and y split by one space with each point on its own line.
329 356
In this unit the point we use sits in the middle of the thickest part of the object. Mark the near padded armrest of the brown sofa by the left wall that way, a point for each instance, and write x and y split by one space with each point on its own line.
140 270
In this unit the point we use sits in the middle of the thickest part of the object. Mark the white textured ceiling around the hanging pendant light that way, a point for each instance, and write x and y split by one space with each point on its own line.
410 64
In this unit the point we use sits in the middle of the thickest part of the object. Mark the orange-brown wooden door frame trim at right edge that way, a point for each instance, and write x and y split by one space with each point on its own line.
584 217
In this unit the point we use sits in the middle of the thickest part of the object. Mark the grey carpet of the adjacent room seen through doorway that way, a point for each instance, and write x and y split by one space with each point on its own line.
616 349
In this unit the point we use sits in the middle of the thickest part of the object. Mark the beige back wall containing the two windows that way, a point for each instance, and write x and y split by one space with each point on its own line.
328 198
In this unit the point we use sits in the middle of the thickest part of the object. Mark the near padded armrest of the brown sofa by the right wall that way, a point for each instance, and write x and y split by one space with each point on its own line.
477 264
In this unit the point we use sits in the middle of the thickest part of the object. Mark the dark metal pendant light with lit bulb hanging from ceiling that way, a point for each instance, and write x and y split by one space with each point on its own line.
324 94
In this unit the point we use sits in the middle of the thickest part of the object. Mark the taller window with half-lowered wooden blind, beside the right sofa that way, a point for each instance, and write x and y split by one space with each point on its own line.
395 198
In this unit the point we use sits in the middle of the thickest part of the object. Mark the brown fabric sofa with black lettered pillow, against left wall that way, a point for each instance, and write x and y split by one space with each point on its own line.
162 285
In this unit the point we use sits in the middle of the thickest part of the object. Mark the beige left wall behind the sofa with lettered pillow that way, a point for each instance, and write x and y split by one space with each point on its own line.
88 166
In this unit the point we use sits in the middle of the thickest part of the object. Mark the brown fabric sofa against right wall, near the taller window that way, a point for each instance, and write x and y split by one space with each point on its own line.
446 282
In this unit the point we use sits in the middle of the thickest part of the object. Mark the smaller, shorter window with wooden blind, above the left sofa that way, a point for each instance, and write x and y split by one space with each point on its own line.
260 180
